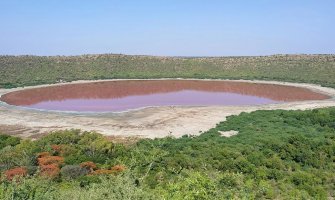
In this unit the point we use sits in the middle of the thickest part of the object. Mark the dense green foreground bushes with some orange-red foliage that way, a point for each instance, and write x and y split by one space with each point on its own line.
277 155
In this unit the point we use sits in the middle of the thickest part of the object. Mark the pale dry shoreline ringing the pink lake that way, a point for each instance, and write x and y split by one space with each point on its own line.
152 122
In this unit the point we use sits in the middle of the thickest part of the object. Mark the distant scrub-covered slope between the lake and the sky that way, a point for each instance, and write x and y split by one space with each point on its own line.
33 70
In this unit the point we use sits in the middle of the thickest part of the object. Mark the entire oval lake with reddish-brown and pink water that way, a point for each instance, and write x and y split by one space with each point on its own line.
124 95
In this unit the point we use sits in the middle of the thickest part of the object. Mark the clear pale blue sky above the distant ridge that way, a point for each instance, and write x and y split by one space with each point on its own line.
167 27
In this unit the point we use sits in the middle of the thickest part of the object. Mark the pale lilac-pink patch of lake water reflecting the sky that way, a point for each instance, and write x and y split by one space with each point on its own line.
180 98
